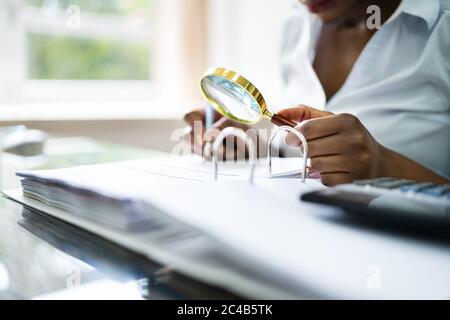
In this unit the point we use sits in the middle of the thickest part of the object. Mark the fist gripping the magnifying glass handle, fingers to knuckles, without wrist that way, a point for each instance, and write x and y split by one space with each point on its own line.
340 148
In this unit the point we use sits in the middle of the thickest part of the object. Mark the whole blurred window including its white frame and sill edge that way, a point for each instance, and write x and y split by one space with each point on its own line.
78 48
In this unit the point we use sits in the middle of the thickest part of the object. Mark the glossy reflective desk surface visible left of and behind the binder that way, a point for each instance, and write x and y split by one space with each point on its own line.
43 257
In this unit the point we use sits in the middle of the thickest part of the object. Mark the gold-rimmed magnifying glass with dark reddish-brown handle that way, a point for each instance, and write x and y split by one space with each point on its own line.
236 98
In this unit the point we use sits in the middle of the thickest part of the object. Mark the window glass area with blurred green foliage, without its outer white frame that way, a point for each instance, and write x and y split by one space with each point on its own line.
64 44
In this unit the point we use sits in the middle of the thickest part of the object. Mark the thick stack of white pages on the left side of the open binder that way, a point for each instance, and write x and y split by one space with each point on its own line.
112 193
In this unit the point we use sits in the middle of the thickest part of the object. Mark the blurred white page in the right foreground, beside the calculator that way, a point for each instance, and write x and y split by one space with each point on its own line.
306 247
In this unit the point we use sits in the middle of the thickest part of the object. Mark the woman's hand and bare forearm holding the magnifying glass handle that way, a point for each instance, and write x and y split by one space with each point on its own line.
342 149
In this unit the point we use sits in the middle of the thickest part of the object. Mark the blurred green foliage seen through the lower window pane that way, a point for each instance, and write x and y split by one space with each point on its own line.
54 57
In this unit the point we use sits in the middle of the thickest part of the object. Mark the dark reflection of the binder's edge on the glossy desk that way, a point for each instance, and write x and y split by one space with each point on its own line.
154 280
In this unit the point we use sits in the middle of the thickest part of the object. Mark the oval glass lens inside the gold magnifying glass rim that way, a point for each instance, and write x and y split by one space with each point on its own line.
231 99
